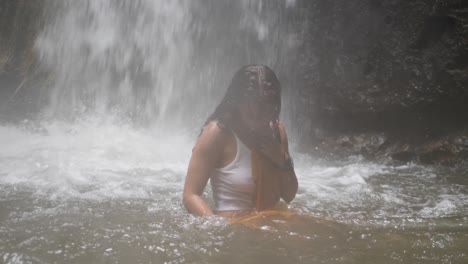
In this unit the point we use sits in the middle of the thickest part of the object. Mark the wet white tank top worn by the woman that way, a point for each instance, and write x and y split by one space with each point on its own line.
233 185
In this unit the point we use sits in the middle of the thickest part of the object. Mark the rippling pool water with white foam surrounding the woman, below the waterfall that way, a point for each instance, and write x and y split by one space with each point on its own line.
98 191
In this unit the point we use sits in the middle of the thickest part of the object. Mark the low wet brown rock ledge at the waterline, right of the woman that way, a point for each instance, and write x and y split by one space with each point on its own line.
446 150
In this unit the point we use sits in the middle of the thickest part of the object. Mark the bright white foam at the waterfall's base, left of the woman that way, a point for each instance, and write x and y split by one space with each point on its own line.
92 158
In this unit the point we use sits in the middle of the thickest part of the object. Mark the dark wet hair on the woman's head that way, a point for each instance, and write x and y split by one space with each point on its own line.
254 82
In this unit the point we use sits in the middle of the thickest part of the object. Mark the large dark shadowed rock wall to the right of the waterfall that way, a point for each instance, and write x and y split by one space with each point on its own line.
387 77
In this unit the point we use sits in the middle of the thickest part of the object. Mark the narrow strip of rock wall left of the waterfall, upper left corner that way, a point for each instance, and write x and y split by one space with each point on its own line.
20 21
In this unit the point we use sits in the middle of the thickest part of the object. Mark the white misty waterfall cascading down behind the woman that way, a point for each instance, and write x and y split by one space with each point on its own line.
166 63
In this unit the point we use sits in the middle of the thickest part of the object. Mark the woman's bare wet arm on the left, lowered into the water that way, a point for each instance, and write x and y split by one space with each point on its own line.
205 155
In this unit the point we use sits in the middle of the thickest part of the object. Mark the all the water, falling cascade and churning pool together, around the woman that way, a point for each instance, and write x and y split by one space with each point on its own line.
97 175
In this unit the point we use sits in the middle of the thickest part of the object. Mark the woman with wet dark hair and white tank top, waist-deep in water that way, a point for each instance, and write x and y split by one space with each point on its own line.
243 150
